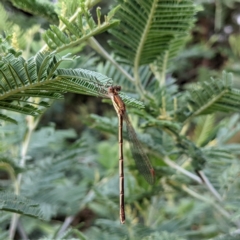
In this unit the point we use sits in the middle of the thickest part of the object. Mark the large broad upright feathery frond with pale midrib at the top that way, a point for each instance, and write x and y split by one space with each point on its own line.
149 28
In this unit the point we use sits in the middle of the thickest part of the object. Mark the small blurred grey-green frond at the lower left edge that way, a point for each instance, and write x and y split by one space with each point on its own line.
19 204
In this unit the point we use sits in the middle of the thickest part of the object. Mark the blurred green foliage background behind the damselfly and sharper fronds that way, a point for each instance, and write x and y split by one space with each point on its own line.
72 161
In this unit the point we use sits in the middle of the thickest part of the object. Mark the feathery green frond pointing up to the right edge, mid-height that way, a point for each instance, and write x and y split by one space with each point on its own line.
212 96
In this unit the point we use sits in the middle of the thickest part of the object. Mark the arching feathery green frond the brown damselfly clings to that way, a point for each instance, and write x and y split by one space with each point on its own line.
41 77
